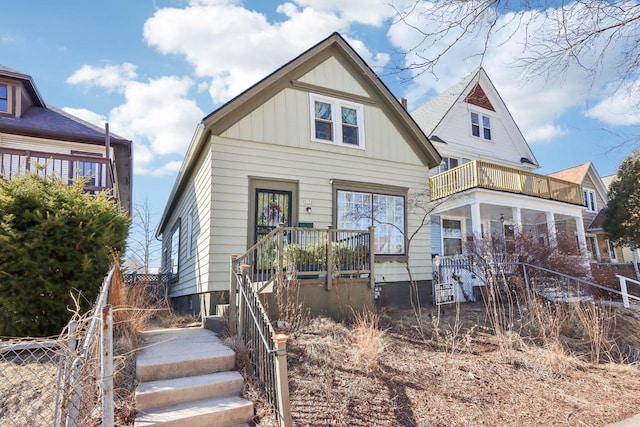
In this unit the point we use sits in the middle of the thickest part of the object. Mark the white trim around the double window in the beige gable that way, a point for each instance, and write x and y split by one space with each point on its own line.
336 126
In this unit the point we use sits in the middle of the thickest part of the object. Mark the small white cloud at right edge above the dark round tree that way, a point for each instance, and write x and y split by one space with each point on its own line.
620 107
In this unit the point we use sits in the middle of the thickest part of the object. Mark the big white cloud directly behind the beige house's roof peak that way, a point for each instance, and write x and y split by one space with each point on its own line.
235 47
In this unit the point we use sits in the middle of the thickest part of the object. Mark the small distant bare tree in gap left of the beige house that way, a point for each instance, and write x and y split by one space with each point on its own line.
142 243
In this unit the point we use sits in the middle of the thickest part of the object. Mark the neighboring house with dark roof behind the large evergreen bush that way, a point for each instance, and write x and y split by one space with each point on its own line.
35 136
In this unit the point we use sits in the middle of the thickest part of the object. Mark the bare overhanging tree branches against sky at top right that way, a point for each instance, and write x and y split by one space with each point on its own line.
555 34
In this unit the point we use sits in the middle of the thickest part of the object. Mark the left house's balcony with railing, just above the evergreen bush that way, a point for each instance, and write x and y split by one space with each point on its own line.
96 170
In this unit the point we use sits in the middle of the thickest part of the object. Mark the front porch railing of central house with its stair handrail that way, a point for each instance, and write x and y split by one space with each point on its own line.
287 252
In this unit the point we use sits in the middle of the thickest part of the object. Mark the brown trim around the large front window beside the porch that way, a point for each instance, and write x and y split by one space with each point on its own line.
380 190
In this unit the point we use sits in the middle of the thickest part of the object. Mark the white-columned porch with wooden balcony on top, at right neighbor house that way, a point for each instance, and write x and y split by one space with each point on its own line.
481 200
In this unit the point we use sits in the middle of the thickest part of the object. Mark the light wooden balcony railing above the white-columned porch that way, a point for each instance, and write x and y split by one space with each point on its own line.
479 174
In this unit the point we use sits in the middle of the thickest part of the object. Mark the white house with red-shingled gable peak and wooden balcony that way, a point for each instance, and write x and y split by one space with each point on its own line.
484 185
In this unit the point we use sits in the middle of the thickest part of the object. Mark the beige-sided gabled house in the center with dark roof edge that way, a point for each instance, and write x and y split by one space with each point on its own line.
319 142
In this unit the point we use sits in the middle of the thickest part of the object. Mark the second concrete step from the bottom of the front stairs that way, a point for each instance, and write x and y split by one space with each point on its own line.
161 393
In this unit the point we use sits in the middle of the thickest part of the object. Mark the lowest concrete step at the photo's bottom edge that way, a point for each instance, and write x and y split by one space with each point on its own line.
218 412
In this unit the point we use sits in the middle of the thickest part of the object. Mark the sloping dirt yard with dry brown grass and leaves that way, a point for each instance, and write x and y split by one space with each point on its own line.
456 372
